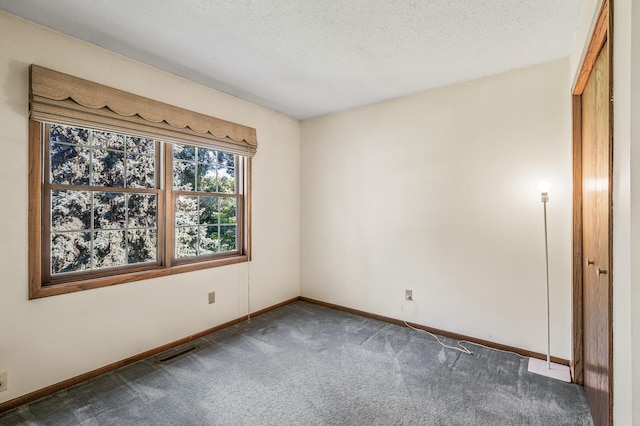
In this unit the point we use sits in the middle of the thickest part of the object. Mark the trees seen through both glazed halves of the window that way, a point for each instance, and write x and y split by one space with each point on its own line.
104 199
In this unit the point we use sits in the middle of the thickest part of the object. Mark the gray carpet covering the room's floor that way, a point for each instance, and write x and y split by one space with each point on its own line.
304 364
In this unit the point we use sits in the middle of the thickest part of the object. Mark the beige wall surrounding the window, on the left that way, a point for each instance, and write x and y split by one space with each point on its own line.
48 340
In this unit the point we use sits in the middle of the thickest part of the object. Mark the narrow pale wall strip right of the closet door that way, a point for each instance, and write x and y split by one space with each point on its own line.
626 216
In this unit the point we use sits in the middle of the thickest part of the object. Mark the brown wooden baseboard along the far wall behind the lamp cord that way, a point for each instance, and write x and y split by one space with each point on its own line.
455 336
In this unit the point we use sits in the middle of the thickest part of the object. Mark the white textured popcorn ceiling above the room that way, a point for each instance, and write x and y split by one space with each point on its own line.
307 58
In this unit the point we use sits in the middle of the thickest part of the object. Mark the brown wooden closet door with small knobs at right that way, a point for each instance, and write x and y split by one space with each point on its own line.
596 217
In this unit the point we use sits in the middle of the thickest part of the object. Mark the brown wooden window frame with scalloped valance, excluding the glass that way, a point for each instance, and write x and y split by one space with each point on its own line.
243 146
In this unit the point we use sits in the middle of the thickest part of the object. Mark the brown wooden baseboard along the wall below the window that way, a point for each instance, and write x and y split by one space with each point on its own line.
41 393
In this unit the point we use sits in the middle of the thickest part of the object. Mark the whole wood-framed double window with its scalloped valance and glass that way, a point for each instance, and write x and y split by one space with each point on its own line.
114 200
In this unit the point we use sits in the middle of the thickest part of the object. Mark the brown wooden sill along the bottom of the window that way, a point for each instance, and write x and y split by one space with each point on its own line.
87 284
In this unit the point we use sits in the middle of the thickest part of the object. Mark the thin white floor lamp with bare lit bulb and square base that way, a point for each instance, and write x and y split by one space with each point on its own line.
554 370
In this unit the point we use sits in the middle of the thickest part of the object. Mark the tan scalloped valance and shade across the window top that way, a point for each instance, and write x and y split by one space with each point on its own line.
60 98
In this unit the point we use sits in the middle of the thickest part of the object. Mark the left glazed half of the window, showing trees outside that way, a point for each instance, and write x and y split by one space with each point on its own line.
103 207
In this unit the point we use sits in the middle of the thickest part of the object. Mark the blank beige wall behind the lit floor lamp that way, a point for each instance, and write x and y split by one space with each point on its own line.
437 192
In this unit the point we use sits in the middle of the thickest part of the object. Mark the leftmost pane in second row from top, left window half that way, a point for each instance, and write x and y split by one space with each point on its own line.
69 164
